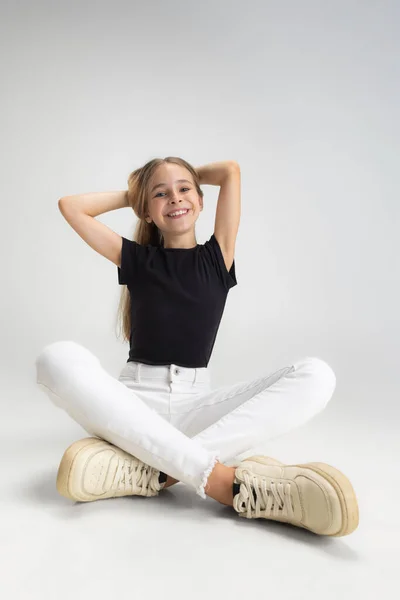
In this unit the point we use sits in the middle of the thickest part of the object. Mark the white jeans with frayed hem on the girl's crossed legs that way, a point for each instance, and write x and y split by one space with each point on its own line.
170 417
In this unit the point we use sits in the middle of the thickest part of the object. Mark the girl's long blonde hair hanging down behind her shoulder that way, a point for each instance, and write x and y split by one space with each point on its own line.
145 233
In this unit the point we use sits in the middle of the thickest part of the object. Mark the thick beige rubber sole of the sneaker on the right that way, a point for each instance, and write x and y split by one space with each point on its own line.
342 486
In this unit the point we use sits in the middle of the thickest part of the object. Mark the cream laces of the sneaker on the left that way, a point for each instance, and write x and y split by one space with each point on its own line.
135 477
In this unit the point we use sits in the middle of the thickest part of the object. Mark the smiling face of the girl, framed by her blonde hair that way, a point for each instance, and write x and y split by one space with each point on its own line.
167 194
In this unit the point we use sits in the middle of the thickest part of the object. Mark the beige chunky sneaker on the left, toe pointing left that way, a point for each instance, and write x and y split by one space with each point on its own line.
93 469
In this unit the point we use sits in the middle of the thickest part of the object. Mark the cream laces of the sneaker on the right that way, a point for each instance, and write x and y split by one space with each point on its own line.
259 497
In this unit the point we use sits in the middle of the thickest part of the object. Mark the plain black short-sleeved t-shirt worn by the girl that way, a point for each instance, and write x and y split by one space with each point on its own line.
178 297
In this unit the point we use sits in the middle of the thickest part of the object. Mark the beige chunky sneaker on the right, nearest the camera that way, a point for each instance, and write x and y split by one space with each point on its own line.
314 496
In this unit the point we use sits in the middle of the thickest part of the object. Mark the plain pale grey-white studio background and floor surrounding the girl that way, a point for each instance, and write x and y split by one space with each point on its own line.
305 96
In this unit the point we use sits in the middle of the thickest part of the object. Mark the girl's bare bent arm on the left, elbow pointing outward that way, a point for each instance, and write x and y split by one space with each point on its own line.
80 212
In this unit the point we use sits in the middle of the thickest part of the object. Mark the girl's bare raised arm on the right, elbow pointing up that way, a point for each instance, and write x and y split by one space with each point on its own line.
227 176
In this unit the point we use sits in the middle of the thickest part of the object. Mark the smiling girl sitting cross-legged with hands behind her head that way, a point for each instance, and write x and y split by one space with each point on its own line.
162 421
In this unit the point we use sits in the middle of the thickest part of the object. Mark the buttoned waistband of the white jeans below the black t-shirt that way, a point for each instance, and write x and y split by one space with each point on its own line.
172 372
